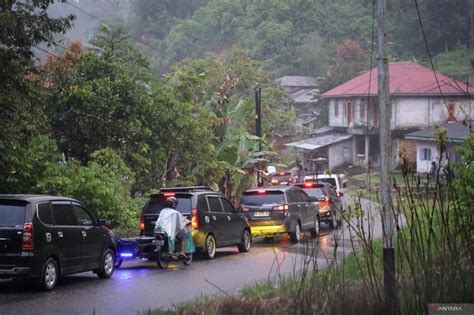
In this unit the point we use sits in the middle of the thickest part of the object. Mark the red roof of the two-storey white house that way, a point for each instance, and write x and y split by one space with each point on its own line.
405 78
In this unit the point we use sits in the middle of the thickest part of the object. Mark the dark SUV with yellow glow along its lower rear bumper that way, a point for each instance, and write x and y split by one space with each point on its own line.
280 209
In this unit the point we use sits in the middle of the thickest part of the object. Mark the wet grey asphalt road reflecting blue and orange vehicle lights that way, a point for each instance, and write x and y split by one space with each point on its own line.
140 285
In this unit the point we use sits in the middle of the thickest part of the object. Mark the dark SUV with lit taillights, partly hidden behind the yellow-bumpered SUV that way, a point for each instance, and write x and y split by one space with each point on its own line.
329 203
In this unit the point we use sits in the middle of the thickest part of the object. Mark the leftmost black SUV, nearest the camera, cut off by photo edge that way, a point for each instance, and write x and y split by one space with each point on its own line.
47 237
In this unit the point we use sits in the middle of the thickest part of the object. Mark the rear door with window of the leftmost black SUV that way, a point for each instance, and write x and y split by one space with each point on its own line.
12 218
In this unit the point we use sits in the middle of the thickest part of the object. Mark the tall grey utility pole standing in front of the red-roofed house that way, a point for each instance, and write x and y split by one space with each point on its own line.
386 164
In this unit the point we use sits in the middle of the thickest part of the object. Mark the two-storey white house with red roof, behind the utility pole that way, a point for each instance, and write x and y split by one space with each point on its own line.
420 98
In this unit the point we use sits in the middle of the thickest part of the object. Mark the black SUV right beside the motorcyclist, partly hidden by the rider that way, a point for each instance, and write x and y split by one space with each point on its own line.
214 220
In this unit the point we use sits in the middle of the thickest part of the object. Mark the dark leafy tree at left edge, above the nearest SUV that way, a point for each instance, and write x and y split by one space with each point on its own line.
23 149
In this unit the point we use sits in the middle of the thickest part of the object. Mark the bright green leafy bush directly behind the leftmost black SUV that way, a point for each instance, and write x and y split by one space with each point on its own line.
103 185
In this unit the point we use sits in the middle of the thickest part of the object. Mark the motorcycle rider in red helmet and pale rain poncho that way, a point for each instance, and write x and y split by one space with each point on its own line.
173 223
